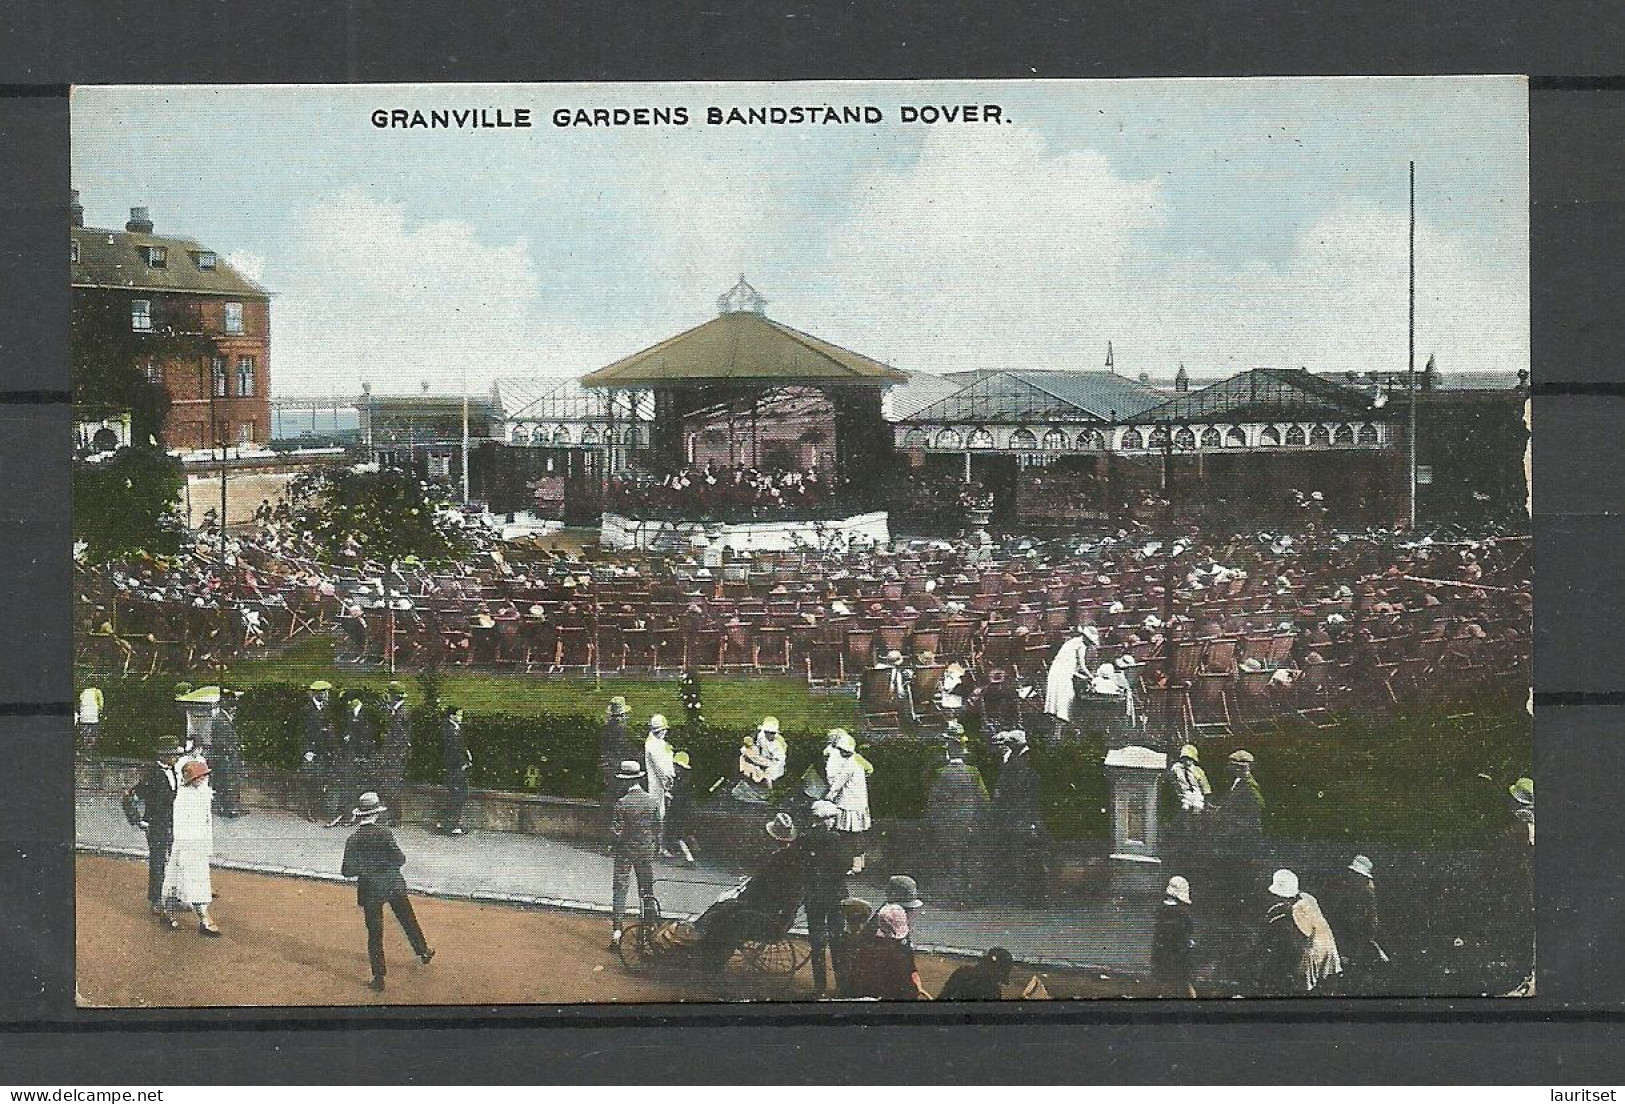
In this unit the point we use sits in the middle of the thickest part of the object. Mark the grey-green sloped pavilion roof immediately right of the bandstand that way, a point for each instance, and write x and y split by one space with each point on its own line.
1041 398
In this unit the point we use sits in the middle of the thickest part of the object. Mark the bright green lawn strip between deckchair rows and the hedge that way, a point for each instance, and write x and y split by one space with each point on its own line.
732 702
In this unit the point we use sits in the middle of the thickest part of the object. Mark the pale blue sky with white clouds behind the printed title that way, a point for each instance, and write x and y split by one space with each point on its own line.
1211 224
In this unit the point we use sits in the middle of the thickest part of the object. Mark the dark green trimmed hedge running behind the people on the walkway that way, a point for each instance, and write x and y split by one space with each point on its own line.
1405 780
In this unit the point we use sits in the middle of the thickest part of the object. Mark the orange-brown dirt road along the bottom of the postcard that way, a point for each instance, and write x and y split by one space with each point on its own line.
295 942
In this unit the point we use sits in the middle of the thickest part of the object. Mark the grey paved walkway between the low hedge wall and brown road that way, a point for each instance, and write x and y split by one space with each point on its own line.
500 867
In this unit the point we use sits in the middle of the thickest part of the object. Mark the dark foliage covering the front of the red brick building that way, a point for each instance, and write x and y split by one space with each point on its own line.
111 360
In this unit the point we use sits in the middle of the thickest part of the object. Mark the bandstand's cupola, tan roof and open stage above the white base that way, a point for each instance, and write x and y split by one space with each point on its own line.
750 381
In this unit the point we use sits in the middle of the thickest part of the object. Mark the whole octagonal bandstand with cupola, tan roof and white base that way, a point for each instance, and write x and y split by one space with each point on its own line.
747 391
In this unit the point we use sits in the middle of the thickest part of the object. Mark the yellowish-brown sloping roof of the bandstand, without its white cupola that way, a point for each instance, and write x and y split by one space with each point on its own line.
740 349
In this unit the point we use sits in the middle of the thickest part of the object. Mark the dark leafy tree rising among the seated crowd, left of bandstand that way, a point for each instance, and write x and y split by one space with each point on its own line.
389 515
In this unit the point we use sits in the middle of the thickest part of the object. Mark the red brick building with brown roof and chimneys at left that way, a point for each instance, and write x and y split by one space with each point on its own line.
180 282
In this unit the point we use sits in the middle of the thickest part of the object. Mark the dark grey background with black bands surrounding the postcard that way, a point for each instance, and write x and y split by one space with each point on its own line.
1572 1035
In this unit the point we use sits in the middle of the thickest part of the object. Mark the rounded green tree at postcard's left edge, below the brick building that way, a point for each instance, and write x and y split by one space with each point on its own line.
126 505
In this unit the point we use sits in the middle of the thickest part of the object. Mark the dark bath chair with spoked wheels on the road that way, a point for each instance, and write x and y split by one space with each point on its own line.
750 921
